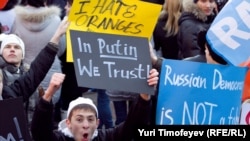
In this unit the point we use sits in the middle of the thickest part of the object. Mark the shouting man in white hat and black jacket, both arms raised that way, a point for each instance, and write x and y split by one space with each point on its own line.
81 123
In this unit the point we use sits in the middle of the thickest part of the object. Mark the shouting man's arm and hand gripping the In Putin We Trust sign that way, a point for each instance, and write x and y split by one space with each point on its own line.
139 112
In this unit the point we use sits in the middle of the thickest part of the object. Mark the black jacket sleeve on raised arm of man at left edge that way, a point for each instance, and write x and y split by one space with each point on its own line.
27 83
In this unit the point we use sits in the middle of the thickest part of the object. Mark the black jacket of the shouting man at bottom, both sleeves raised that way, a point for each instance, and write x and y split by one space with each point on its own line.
42 130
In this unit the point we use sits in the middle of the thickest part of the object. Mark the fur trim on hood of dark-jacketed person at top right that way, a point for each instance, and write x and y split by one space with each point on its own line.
190 7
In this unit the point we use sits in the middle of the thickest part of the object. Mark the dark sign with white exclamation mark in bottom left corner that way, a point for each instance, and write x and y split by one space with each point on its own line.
13 124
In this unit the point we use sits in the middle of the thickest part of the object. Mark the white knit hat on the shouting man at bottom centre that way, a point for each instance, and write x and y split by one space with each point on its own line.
81 100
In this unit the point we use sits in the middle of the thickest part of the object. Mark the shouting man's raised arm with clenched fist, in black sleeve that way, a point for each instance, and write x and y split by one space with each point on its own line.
41 125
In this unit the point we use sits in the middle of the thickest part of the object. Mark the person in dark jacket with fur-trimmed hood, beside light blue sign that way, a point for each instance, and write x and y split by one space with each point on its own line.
197 16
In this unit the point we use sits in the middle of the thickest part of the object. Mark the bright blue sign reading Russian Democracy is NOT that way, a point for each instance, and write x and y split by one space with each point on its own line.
199 93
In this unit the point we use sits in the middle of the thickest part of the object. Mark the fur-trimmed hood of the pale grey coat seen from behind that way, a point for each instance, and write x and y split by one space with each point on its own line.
36 19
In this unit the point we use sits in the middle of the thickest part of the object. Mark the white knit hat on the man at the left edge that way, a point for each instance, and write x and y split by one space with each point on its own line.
12 38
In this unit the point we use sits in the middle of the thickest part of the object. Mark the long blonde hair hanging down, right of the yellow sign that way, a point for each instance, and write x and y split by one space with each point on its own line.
172 8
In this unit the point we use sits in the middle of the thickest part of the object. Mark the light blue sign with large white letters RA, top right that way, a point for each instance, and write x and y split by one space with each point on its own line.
229 34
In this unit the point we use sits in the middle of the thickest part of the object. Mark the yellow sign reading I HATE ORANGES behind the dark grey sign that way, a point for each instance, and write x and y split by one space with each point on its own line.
120 17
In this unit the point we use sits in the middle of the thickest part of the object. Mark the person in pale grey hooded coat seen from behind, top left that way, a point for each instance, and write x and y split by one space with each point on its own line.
35 24
